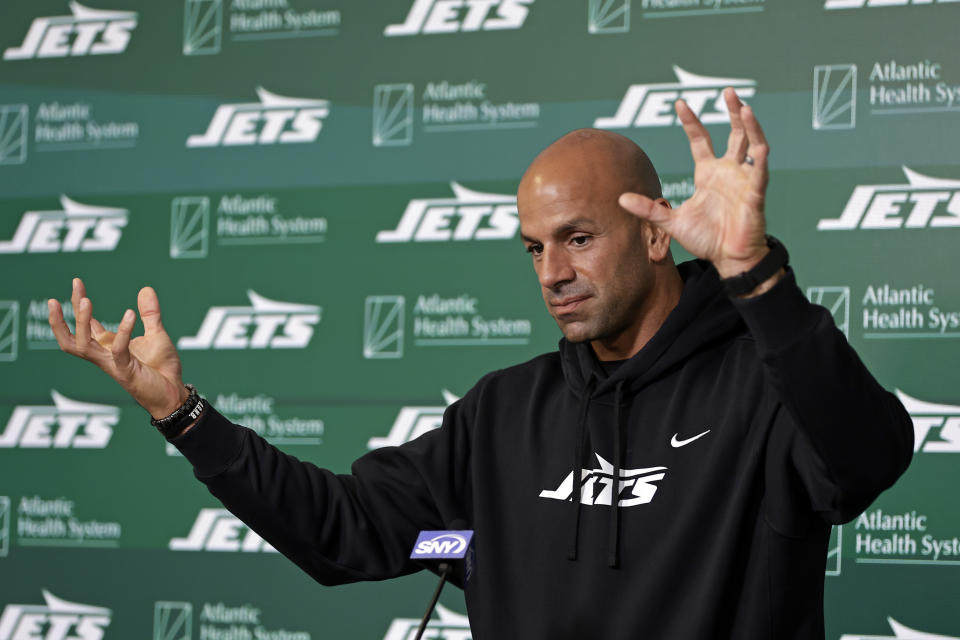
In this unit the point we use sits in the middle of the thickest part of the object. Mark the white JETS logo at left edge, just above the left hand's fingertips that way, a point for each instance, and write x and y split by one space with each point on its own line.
77 227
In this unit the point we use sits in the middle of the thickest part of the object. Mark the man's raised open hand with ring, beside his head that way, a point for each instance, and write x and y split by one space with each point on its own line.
723 221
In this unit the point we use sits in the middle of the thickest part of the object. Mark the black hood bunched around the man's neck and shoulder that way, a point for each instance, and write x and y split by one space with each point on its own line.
703 316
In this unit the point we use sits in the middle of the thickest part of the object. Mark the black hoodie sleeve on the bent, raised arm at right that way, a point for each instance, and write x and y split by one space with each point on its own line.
856 438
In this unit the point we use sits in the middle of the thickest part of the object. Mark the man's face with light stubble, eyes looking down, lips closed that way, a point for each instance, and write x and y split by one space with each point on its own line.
590 257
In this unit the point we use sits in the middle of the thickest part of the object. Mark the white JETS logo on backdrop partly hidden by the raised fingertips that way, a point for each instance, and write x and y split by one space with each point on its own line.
651 105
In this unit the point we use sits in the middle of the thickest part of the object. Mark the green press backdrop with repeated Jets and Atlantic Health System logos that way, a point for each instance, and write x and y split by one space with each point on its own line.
322 193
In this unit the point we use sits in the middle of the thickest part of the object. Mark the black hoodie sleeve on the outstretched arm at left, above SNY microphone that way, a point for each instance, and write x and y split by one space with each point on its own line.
338 528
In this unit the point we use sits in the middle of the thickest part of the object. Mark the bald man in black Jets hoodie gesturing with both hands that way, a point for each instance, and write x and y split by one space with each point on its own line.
671 473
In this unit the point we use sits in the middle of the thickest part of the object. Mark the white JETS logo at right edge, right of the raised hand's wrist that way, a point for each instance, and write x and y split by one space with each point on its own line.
922 202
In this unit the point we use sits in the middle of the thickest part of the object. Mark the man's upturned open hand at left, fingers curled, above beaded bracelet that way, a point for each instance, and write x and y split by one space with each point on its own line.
148 366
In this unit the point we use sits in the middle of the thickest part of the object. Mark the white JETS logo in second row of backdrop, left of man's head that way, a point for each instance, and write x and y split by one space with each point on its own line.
273 120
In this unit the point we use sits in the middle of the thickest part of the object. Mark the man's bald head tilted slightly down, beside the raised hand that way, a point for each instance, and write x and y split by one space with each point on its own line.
598 265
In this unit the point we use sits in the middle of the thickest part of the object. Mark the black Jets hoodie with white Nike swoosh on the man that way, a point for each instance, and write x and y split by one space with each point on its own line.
739 434
